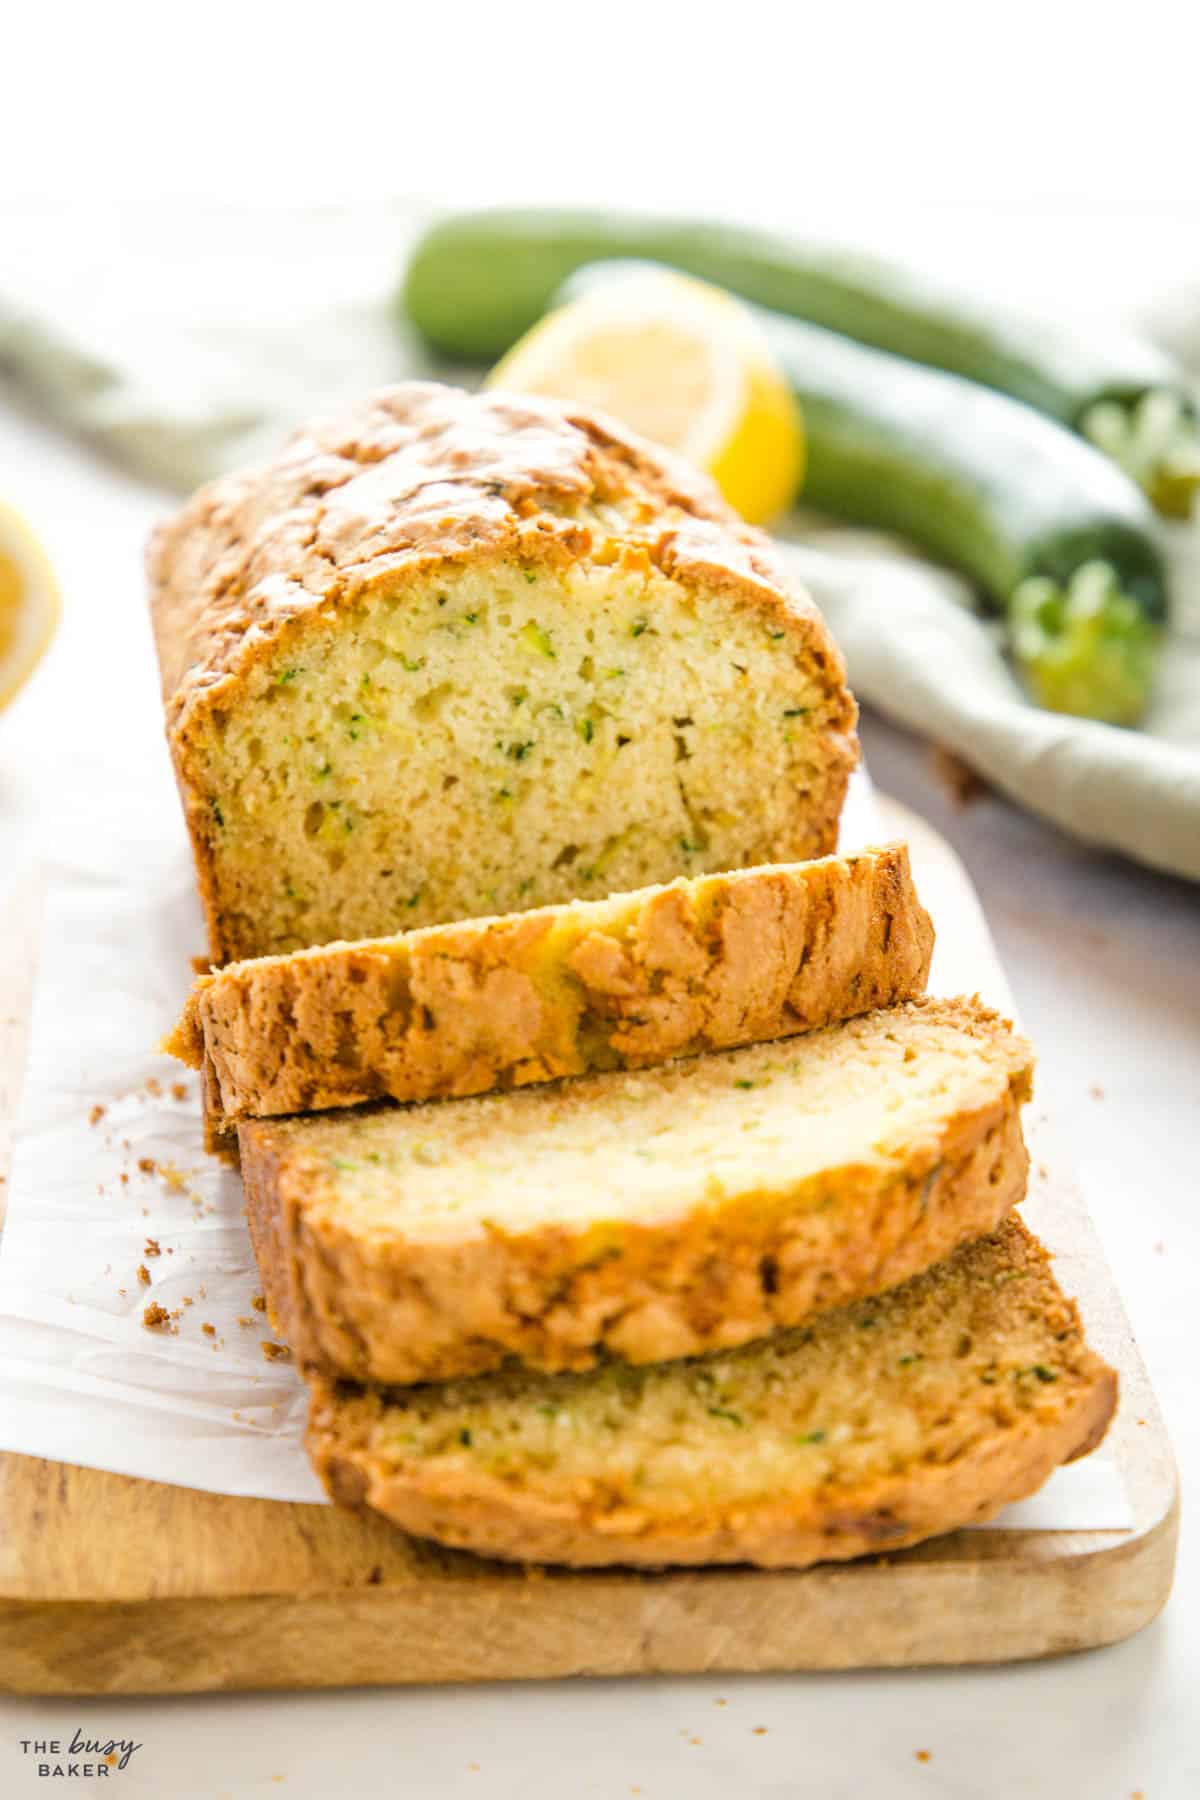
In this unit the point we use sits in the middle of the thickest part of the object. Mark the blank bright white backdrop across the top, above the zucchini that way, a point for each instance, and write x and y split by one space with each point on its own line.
1050 103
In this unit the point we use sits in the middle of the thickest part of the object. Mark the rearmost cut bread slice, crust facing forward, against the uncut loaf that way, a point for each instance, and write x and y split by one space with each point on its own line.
634 980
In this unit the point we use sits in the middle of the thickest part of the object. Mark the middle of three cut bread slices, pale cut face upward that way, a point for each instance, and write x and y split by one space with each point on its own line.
645 1216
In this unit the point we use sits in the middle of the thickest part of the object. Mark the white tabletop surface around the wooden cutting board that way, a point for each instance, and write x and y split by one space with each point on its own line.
1106 962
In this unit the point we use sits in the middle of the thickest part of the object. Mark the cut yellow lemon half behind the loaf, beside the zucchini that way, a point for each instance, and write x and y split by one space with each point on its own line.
686 366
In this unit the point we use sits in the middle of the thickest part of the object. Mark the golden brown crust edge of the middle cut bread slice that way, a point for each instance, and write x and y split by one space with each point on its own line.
373 1304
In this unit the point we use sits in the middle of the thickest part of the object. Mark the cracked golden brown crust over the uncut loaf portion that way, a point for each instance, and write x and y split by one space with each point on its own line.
422 478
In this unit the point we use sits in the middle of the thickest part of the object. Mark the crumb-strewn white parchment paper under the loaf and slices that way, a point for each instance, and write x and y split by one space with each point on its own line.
111 1178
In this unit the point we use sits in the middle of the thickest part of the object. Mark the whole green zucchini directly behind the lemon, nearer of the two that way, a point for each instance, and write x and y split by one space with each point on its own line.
1052 530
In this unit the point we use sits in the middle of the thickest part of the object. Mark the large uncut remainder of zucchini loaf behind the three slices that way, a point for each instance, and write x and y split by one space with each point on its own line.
465 654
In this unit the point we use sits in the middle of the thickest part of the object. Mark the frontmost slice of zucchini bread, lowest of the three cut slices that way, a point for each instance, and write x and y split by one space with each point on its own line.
864 1432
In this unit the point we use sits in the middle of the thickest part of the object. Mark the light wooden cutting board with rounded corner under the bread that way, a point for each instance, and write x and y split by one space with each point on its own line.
116 1587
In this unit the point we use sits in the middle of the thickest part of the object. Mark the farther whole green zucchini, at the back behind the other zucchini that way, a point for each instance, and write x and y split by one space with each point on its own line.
479 280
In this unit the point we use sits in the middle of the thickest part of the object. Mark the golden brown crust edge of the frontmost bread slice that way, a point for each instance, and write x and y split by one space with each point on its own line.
1003 1453
